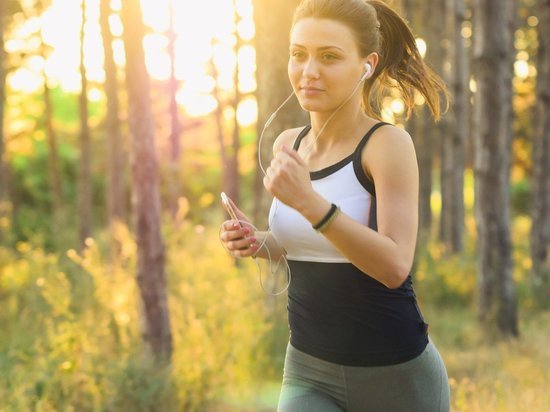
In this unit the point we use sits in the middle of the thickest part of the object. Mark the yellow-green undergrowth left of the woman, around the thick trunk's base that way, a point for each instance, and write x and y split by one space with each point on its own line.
70 338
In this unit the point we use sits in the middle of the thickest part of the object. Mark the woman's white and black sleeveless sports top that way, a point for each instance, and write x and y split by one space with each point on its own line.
336 312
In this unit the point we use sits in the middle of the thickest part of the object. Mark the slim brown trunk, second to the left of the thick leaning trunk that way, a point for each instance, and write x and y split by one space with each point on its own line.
84 164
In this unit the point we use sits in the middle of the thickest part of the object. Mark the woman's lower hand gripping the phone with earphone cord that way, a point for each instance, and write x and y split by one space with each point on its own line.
238 237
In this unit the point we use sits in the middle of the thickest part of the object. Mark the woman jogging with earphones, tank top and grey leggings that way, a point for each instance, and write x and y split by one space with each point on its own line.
345 215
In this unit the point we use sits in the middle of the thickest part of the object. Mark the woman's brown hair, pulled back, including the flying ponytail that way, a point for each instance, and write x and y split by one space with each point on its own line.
378 28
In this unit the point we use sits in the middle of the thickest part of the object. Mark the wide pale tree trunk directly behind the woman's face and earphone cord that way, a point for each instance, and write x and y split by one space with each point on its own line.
272 41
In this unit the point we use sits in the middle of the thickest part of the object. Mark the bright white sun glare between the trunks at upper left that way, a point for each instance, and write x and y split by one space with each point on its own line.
201 36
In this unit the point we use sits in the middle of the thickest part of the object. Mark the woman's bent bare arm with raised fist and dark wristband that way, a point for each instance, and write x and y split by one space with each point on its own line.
386 254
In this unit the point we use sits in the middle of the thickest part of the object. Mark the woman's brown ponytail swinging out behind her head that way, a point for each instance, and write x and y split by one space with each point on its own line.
401 65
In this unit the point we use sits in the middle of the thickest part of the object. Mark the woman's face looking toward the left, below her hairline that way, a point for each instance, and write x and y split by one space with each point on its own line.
324 64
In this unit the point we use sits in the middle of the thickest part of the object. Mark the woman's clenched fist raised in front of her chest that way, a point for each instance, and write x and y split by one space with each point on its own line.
287 178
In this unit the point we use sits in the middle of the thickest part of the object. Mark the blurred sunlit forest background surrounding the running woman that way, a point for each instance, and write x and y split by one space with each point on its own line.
122 121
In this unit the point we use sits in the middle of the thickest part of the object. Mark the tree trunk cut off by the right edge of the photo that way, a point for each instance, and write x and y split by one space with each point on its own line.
540 232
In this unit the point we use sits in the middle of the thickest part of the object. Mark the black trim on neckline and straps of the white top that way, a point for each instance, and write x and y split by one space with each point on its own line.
327 171
